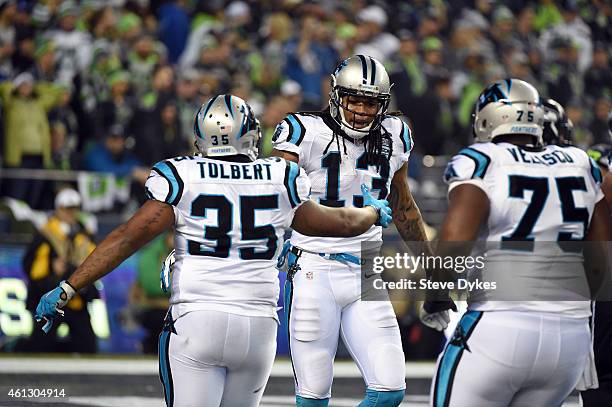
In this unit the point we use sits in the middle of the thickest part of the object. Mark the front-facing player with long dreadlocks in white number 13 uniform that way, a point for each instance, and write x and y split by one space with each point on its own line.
354 141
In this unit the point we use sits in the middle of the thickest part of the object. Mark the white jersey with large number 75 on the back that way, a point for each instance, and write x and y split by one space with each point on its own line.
545 196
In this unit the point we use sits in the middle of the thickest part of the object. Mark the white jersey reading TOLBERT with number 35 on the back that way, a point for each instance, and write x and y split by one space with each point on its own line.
230 220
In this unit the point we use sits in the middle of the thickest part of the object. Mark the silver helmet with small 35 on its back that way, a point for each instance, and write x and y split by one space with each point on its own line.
226 125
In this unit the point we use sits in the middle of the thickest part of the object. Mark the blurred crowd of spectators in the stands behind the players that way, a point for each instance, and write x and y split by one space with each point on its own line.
112 86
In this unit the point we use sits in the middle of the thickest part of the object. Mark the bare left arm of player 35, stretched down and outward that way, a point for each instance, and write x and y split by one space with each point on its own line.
152 218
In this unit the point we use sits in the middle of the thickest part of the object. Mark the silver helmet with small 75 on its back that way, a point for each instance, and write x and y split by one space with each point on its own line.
509 106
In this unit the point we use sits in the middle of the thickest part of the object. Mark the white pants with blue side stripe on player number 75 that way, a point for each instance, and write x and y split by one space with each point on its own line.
501 359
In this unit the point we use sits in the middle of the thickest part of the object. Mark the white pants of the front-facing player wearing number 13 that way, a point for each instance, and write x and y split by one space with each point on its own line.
323 303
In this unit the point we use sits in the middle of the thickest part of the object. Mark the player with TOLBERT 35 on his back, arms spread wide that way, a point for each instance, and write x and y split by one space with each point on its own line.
230 212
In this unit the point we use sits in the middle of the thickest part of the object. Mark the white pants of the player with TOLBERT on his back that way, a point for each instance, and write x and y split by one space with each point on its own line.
212 359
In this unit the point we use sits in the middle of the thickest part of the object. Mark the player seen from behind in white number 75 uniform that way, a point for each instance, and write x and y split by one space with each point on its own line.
510 187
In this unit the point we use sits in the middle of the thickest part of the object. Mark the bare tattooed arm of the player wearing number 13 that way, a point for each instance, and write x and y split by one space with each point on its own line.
406 214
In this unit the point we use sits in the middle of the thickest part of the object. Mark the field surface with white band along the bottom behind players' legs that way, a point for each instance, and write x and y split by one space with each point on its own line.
133 382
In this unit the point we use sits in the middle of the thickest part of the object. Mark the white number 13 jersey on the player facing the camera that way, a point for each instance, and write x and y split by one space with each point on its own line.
336 175
